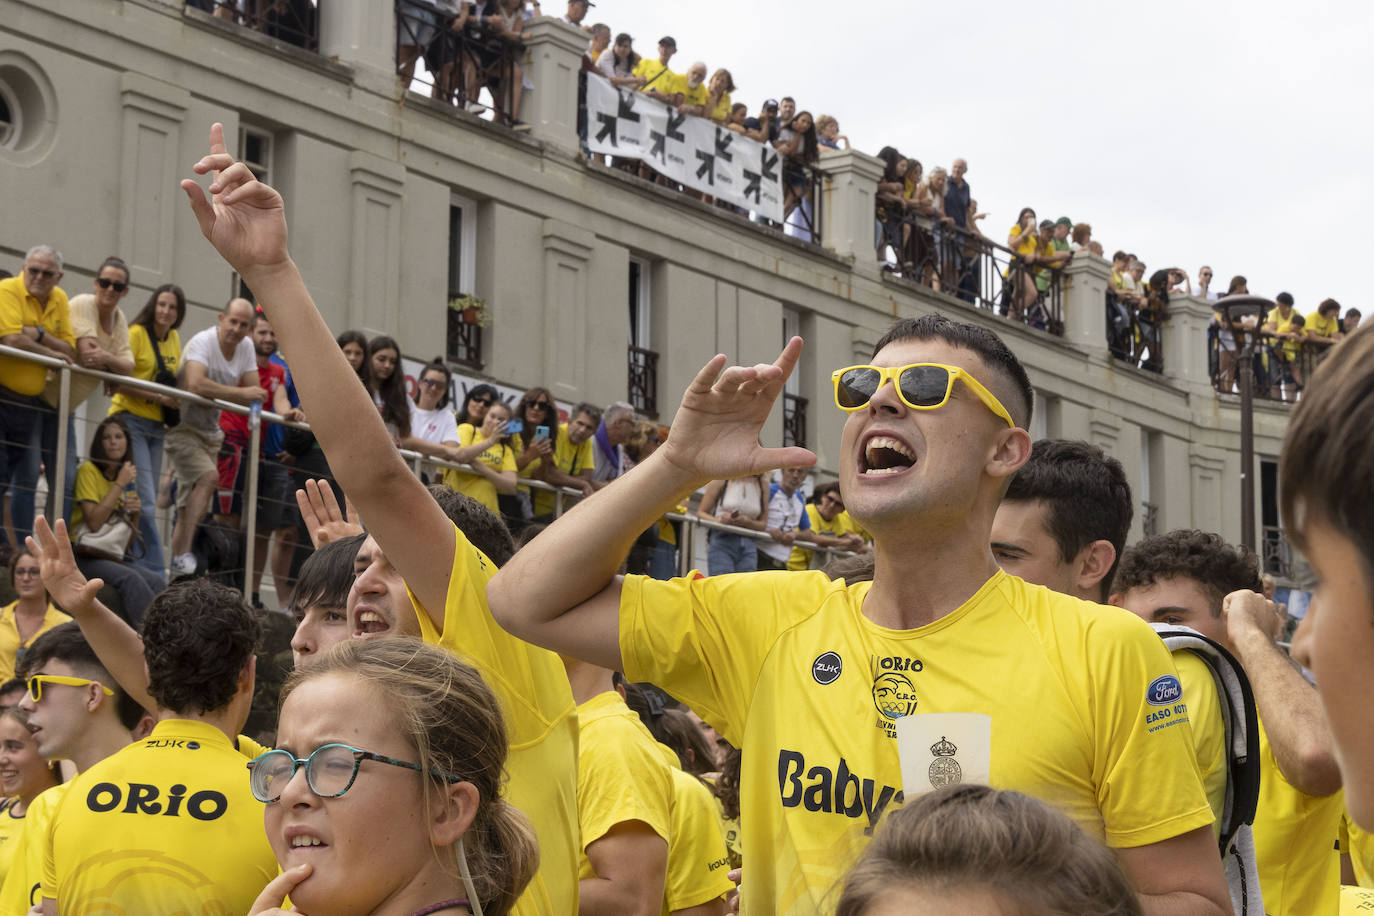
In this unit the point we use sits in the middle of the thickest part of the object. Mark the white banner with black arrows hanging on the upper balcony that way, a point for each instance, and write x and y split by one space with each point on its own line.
693 152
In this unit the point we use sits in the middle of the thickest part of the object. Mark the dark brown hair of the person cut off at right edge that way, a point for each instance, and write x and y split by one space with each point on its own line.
1325 473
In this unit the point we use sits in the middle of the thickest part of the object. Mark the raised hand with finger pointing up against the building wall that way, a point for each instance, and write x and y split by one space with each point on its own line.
244 219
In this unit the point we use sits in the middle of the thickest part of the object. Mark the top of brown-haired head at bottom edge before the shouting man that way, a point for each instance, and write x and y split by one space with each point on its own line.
973 849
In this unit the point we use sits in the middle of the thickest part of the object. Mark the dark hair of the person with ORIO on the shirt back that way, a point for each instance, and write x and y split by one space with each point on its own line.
197 638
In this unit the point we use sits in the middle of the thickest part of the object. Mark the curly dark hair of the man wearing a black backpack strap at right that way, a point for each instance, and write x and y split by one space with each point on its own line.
1203 557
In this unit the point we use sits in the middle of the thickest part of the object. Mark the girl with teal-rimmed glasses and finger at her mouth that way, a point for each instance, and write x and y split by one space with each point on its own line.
401 807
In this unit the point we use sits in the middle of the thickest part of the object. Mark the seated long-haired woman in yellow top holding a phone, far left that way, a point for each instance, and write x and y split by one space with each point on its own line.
105 495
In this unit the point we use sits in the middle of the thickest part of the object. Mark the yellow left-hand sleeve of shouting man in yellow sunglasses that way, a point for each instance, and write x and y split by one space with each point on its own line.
704 641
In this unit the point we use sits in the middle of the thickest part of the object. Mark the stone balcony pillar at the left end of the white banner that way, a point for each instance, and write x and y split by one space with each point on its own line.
553 60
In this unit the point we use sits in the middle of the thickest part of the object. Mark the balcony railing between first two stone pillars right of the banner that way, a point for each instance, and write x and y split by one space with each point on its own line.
972 268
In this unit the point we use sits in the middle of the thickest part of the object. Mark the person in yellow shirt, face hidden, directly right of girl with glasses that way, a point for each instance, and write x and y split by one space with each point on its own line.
624 801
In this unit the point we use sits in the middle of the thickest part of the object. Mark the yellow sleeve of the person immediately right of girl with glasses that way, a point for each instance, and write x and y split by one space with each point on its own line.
620 778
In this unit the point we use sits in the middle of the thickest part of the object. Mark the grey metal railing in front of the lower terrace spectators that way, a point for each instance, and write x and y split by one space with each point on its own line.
256 469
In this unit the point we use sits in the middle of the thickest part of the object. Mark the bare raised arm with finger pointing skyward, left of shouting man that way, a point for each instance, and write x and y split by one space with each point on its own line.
245 222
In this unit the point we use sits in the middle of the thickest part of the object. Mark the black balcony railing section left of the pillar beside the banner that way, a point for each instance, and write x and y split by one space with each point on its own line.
462 57
